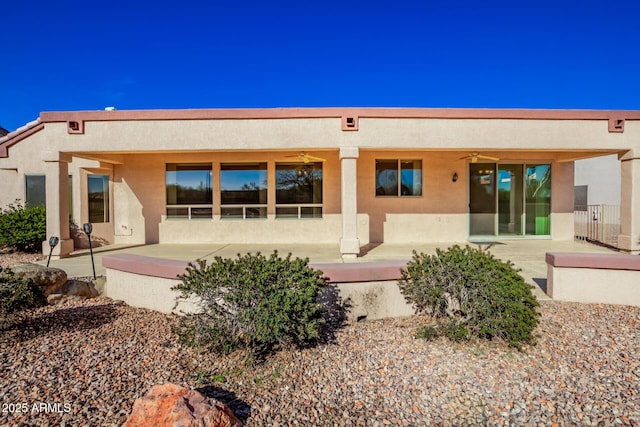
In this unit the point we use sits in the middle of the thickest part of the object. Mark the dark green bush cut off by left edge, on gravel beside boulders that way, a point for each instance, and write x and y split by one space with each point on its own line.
17 295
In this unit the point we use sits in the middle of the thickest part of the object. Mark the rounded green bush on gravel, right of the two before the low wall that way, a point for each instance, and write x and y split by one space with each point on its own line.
470 292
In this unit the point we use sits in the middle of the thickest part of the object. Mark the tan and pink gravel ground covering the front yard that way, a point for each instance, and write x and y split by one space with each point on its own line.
94 358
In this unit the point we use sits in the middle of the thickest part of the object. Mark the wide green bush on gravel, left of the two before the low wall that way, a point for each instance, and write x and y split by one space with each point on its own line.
252 302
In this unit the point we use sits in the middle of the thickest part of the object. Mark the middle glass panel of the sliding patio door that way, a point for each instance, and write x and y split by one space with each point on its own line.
510 206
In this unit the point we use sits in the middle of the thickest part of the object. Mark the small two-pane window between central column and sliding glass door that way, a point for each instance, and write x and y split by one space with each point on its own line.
398 177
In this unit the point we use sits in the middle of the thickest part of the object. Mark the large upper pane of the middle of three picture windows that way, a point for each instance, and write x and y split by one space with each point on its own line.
243 184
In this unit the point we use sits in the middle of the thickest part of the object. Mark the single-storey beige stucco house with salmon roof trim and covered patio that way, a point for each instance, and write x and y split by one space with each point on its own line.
344 176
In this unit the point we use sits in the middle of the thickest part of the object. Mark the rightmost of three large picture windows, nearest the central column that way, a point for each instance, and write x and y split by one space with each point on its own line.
299 190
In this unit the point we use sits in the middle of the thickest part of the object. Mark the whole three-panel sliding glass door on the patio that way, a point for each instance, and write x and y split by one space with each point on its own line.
509 199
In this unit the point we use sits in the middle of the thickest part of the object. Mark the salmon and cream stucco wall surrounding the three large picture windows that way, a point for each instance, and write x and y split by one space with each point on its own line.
140 200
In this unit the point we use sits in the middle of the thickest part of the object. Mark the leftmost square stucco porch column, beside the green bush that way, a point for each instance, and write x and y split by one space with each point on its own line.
57 204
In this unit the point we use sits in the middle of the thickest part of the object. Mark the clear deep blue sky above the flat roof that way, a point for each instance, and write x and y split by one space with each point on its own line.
71 55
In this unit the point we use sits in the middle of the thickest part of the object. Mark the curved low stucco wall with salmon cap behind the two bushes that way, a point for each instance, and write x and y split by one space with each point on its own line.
371 288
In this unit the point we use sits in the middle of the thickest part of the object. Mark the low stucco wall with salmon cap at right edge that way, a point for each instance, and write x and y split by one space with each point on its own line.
594 278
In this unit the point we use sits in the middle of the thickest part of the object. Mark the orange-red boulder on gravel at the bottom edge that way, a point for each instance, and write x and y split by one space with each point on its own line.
173 405
